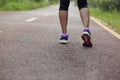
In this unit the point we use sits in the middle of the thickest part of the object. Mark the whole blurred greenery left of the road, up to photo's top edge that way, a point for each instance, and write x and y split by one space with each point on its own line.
24 4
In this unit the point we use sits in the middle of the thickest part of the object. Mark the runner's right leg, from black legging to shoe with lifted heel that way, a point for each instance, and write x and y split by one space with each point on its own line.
85 16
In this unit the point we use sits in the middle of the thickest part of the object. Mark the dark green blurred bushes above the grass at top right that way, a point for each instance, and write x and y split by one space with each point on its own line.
106 5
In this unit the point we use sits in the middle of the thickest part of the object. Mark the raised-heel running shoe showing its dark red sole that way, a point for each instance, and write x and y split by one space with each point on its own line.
86 36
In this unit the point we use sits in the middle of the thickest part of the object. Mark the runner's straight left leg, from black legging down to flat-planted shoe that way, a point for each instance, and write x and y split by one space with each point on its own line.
63 16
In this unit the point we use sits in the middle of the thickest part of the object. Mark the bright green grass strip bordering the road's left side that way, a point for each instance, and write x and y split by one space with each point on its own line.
25 5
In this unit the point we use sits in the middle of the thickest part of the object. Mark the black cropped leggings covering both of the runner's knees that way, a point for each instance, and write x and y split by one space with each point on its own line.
64 4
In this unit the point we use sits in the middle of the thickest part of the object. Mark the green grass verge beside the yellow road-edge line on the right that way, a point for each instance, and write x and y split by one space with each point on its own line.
111 18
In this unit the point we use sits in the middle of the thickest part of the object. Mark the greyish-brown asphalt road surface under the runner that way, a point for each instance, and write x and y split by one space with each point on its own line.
29 48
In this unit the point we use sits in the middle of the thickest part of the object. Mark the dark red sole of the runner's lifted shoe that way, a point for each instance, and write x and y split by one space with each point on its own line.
87 42
